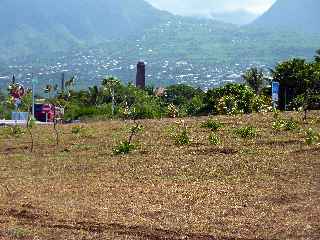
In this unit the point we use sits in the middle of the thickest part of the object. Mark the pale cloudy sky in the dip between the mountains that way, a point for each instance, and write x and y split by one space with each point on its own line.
195 7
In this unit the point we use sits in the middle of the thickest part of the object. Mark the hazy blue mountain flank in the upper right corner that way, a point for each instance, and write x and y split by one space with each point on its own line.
294 15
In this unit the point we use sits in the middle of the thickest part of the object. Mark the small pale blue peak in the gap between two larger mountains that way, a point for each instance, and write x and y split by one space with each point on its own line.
240 17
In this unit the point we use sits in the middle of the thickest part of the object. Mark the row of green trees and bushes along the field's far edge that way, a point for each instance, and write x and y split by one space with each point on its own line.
299 81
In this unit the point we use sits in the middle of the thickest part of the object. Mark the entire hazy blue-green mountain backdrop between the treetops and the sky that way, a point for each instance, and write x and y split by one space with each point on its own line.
95 38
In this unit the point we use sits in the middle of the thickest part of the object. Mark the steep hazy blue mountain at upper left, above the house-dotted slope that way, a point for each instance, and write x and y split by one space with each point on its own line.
36 26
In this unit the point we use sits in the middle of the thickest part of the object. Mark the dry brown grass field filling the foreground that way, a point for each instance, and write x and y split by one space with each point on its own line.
264 188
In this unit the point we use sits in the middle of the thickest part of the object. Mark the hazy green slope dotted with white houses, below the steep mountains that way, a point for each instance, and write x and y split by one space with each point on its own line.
203 53
